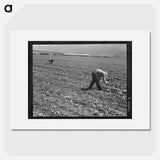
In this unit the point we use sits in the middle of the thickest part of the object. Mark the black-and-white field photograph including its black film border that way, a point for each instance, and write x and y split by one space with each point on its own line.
80 79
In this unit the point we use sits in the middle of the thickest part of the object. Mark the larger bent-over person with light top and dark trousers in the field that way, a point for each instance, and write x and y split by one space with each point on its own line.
96 77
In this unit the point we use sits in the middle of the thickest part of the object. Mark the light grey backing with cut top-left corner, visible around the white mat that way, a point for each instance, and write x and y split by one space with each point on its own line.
80 17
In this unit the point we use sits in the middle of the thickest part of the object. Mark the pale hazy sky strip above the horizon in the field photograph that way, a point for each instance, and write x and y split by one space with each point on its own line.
92 49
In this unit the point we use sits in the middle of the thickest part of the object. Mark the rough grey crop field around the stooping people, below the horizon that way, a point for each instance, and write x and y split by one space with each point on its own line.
58 87
